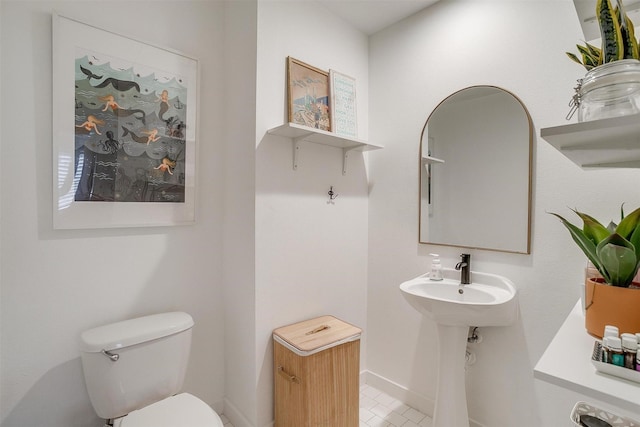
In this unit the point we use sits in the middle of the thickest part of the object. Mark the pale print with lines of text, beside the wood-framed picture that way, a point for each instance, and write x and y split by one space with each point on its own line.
343 104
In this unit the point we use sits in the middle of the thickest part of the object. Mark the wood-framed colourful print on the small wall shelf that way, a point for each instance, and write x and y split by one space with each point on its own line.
308 95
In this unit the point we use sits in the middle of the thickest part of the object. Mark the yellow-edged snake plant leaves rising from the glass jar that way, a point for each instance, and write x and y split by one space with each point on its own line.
618 38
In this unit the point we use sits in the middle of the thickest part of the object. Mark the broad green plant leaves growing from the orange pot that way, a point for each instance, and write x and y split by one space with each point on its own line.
613 250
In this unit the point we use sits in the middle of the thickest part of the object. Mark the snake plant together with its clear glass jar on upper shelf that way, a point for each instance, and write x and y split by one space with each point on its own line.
611 86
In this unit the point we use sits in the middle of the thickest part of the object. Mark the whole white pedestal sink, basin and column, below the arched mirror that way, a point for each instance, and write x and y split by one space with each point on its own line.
490 300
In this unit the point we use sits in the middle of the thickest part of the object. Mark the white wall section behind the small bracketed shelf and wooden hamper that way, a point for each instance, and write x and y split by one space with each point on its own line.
311 256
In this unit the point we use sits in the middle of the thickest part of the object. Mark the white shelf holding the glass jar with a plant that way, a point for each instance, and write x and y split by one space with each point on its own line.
605 143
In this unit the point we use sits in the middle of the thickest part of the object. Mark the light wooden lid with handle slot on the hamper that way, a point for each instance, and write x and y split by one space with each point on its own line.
313 335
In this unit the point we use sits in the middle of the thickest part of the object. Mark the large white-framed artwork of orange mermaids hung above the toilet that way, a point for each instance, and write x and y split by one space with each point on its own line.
124 130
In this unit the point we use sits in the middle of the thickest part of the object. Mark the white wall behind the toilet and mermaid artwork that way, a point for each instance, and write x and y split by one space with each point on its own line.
56 284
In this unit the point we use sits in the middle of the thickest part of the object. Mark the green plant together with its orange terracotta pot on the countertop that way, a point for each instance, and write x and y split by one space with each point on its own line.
613 298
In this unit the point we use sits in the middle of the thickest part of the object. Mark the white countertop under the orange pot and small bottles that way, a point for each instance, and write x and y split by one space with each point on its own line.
567 363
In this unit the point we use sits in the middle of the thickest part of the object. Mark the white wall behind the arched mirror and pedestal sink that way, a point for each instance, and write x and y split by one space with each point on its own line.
517 45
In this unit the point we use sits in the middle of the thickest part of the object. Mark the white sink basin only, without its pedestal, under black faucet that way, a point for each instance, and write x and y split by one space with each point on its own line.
490 300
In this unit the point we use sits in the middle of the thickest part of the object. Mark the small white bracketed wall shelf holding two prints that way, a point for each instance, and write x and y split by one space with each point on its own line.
299 134
